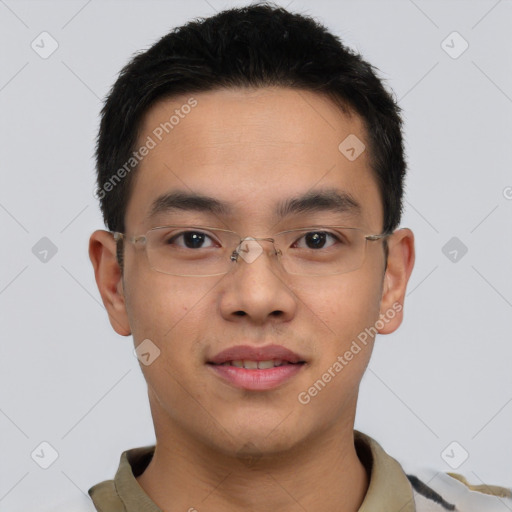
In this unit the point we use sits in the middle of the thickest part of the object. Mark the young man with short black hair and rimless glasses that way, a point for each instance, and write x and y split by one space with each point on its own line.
250 173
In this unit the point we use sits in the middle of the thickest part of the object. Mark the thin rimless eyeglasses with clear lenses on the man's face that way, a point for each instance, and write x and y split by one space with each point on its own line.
203 251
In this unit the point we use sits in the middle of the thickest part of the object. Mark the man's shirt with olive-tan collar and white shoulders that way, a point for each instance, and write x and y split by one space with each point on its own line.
390 488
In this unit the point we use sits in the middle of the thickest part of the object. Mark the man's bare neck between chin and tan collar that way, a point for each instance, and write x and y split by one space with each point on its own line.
322 473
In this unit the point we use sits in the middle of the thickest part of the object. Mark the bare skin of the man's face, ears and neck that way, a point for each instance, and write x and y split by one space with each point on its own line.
219 447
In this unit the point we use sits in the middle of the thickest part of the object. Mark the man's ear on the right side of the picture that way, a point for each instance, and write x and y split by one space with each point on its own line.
399 267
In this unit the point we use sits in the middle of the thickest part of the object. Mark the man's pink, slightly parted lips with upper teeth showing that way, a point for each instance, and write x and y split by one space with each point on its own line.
256 379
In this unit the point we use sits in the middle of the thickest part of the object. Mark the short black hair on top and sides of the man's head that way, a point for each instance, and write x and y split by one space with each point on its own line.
260 45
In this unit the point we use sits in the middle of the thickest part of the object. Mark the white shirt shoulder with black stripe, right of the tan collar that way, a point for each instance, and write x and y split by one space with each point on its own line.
440 491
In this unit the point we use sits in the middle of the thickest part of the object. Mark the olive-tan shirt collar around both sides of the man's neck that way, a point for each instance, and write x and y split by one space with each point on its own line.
389 489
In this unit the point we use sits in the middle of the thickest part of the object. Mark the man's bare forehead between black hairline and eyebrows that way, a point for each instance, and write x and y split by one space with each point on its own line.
252 150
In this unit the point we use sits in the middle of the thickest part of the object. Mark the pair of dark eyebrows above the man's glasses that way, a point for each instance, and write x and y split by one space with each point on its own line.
312 201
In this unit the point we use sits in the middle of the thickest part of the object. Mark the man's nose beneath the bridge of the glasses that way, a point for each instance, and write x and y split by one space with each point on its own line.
255 289
